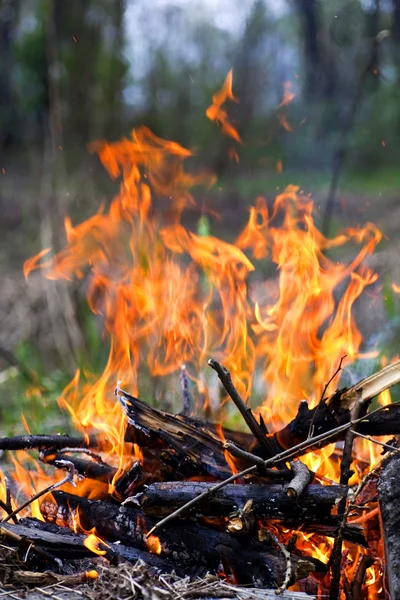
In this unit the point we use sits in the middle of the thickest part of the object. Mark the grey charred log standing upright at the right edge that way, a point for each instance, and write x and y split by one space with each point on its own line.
389 502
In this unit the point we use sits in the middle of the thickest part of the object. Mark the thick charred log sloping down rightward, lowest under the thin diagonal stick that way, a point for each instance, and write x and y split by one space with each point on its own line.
186 544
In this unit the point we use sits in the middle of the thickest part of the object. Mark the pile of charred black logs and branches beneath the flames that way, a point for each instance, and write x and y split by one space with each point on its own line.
205 501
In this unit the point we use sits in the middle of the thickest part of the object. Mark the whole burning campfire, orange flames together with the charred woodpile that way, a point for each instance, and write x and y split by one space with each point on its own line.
292 493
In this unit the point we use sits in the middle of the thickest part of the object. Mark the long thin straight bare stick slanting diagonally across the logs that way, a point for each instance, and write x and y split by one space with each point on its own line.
285 455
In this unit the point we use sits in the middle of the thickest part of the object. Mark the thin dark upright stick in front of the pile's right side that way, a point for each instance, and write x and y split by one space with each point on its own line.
345 475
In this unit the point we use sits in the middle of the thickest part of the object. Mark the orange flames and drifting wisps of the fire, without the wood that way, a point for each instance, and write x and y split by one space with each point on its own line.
169 296
